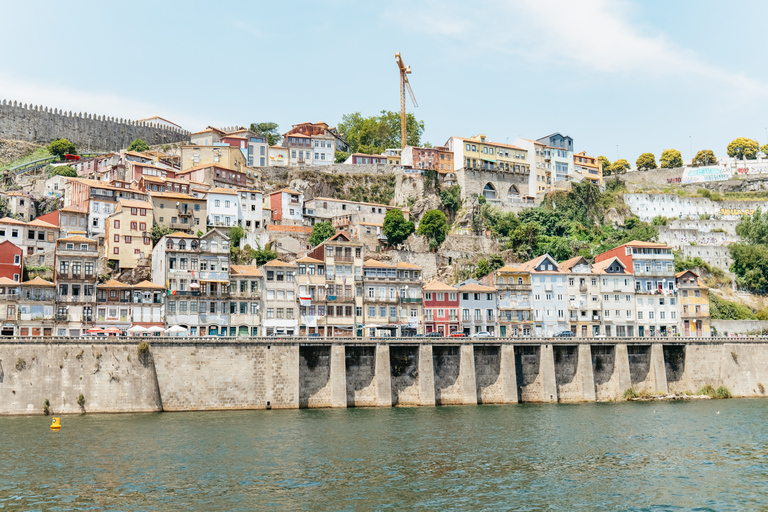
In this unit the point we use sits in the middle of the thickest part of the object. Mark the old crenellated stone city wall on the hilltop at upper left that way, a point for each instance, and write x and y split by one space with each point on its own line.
37 123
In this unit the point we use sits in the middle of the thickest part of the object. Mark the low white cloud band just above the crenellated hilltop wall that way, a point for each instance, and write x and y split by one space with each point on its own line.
68 99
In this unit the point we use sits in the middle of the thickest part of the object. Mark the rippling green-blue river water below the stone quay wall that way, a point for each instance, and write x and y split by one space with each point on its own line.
699 455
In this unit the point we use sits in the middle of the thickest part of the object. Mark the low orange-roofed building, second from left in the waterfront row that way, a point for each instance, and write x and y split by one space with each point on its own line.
37 306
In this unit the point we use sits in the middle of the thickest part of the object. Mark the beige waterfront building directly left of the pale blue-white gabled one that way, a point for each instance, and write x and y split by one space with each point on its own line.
513 289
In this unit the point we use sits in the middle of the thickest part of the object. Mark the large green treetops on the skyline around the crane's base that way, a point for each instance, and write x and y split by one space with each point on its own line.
374 134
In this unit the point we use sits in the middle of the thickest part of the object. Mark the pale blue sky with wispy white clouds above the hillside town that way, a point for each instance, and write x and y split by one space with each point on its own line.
620 77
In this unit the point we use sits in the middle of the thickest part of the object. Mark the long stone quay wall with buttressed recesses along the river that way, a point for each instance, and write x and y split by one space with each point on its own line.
203 374
